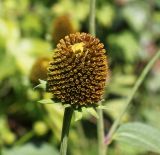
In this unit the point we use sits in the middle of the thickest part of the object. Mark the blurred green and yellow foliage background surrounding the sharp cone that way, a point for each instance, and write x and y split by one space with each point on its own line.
30 30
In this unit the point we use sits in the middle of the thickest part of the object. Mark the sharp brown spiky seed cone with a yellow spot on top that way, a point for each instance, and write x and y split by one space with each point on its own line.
78 71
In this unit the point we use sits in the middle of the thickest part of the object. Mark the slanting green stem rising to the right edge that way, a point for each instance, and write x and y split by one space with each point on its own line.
131 95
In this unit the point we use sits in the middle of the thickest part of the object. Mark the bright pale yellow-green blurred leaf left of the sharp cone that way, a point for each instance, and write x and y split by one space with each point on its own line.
27 50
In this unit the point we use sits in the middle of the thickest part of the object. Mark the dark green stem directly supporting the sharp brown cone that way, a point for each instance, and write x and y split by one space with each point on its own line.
65 130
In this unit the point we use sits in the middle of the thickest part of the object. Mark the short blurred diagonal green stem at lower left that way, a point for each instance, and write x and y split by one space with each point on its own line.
25 138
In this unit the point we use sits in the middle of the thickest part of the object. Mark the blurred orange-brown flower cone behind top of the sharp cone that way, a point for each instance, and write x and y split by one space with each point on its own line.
62 27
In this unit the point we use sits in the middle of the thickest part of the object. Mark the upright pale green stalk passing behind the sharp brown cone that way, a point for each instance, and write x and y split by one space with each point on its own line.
100 125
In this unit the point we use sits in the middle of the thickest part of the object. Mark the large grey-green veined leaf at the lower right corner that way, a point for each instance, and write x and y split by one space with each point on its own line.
139 135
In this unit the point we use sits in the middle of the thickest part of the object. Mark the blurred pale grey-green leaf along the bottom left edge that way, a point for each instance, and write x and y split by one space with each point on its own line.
30 149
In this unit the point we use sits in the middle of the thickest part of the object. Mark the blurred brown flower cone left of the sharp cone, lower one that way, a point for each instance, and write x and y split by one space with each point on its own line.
39 70
